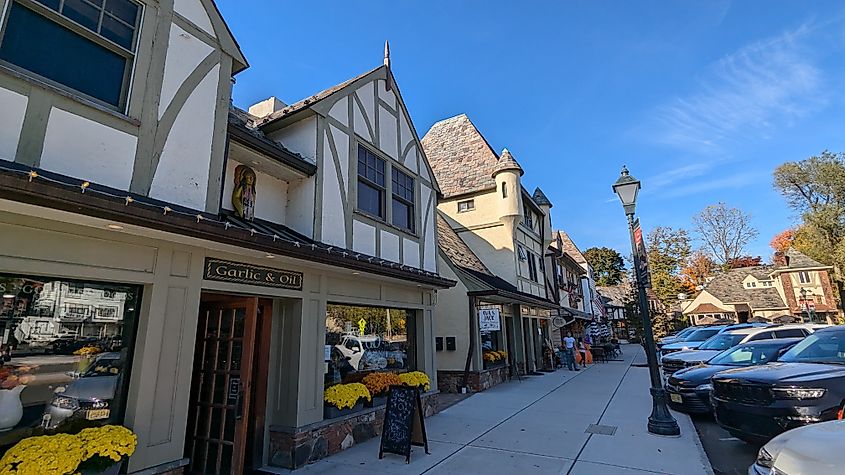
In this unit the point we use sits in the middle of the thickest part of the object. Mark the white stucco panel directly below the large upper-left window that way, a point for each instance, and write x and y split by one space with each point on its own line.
81 148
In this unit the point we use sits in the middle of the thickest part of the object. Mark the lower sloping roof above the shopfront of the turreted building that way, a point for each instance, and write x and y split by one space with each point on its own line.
473 273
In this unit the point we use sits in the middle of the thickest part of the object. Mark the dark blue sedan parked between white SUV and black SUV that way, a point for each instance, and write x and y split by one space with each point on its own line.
689 389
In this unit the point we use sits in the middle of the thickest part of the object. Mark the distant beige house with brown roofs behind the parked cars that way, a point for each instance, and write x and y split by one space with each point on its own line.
796 288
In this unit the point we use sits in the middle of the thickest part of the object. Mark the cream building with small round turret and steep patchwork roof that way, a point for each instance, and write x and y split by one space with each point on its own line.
493 240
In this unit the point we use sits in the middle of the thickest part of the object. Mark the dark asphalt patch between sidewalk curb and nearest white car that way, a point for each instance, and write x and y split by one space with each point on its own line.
728 455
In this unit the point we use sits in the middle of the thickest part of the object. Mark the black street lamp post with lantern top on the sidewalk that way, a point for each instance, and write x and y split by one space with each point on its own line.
660 421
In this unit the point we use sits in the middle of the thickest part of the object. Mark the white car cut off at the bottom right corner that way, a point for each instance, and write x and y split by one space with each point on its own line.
815 449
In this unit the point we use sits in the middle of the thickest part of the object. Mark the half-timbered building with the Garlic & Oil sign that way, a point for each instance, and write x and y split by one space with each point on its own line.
206 257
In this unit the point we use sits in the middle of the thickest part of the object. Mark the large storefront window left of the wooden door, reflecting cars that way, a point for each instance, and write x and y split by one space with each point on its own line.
66 351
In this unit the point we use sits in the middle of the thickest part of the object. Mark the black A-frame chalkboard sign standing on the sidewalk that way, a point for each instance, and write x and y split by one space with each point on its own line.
401 428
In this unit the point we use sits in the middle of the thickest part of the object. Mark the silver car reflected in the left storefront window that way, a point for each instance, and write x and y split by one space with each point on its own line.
90 394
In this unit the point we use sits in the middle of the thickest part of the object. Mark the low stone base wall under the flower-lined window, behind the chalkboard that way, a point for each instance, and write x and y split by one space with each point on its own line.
311 443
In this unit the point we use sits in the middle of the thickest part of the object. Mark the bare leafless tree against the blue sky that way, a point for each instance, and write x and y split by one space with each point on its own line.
725 232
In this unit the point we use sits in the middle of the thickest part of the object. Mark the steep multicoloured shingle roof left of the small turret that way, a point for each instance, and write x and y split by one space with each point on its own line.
460 157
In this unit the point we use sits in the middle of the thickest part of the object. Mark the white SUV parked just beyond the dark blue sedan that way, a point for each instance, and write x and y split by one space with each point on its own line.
728 339
